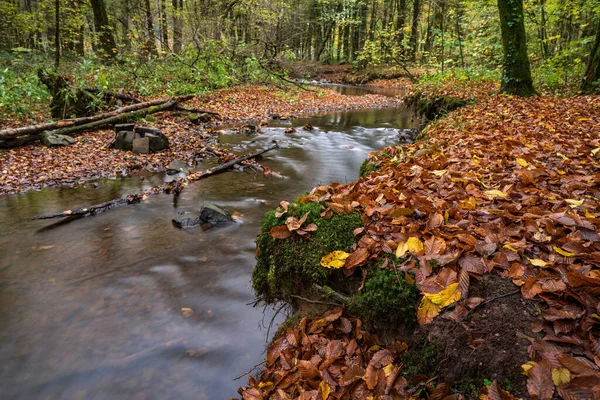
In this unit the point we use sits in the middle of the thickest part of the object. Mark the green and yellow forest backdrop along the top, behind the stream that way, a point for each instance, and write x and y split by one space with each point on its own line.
179 47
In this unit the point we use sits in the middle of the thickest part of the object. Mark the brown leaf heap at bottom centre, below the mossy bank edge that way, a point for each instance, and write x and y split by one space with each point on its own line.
331 356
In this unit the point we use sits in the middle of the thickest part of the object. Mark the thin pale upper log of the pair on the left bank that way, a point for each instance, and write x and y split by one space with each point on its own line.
39 128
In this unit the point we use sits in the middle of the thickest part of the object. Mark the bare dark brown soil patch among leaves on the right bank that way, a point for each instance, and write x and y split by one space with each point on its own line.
487 344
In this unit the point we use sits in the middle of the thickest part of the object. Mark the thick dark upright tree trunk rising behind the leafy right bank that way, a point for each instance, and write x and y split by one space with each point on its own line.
516 73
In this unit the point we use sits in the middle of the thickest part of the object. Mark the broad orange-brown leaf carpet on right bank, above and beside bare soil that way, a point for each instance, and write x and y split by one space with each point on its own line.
508 186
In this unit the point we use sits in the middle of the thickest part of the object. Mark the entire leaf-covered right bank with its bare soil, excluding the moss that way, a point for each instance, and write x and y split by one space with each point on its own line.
495 216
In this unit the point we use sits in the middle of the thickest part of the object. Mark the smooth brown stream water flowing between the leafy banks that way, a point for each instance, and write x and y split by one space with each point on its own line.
125 306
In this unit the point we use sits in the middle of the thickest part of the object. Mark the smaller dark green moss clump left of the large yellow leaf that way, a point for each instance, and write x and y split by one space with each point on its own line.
386 298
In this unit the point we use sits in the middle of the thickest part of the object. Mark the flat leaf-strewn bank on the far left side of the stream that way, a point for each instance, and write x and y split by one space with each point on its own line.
35 166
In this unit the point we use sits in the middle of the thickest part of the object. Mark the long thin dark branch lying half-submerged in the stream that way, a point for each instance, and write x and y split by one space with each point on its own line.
175 187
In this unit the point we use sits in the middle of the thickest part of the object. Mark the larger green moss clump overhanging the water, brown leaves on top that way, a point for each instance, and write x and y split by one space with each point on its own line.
292 266
